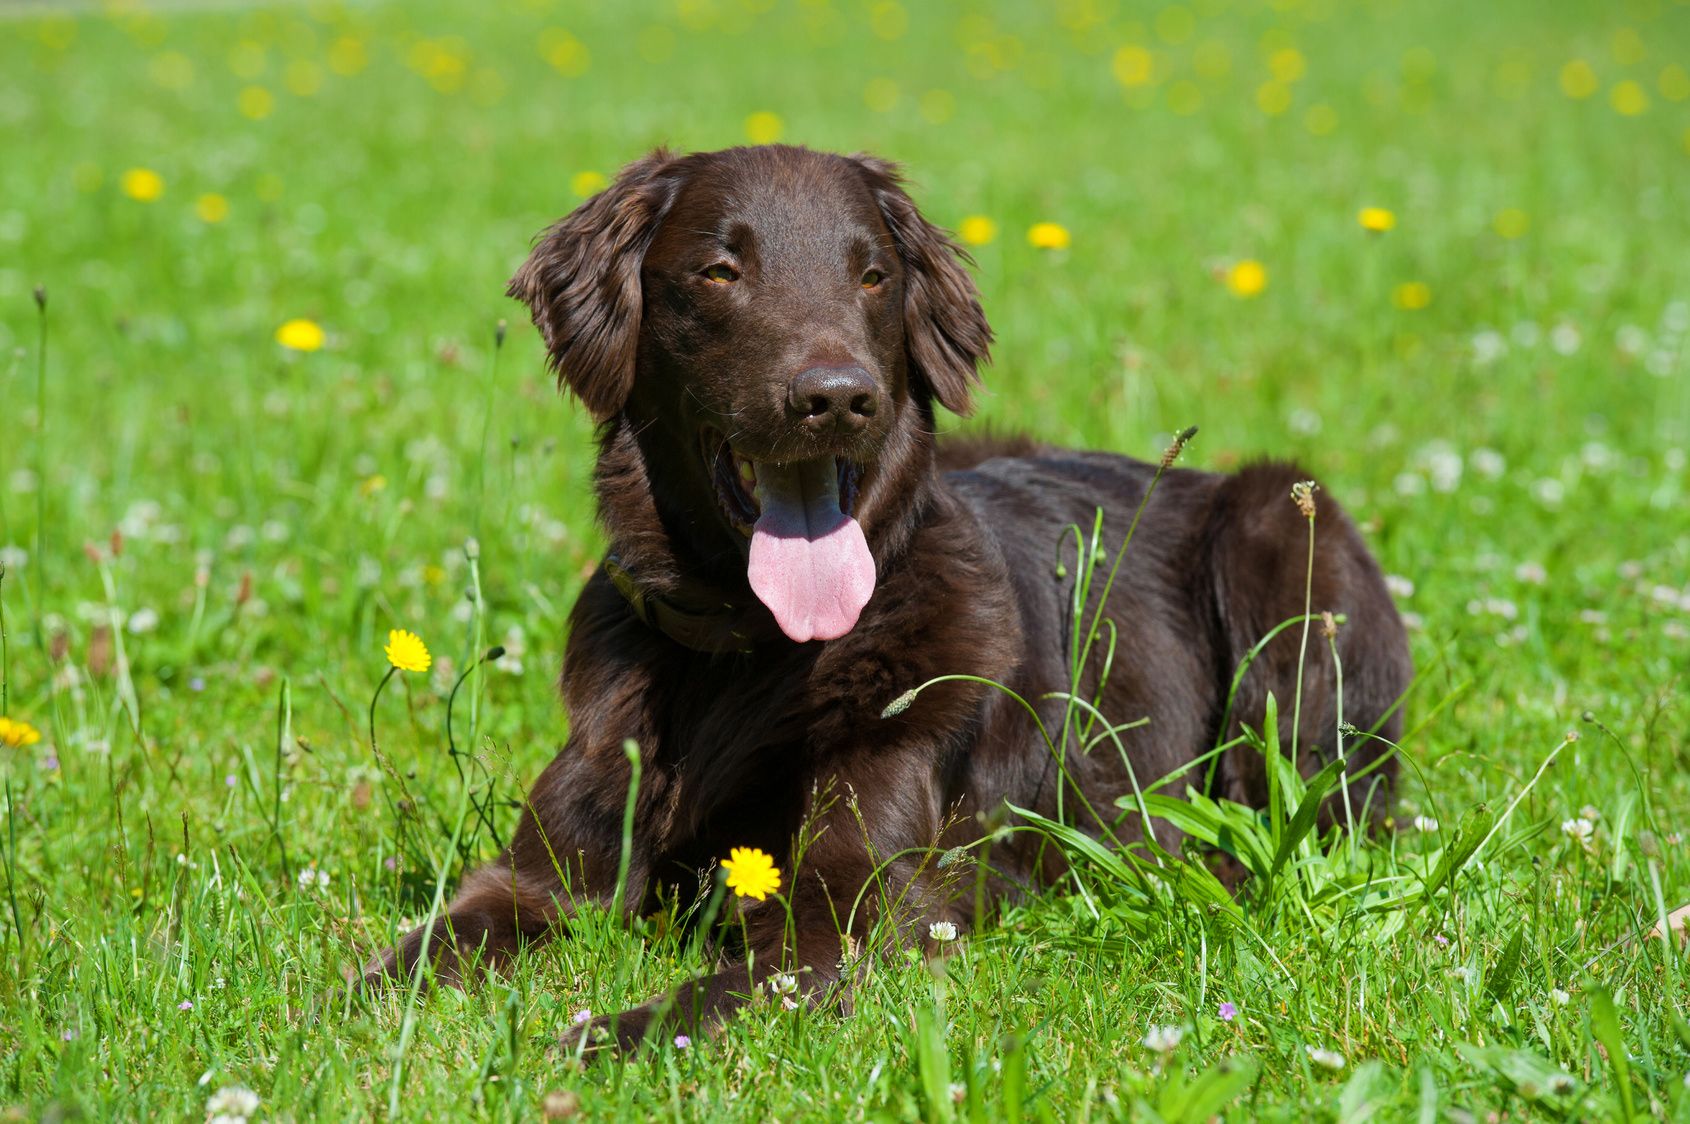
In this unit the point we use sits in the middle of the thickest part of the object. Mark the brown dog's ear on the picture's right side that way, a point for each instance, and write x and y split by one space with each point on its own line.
946 329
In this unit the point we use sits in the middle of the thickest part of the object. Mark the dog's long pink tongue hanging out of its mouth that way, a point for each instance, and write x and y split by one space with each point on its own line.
809 560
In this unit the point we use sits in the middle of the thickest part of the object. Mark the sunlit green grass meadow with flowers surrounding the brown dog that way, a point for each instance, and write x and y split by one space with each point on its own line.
258 520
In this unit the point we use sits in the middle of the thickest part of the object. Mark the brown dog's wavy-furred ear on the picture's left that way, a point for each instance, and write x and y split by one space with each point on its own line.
582 283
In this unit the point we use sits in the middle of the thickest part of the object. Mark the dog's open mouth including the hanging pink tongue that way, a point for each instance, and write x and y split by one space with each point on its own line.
809 559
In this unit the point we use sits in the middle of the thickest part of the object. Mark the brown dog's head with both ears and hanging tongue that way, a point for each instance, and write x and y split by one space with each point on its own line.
782 322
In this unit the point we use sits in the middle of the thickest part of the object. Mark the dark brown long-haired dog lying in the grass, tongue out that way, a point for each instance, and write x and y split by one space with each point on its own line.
765 337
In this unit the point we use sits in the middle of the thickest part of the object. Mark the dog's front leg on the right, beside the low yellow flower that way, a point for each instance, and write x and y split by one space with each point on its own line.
863 873
